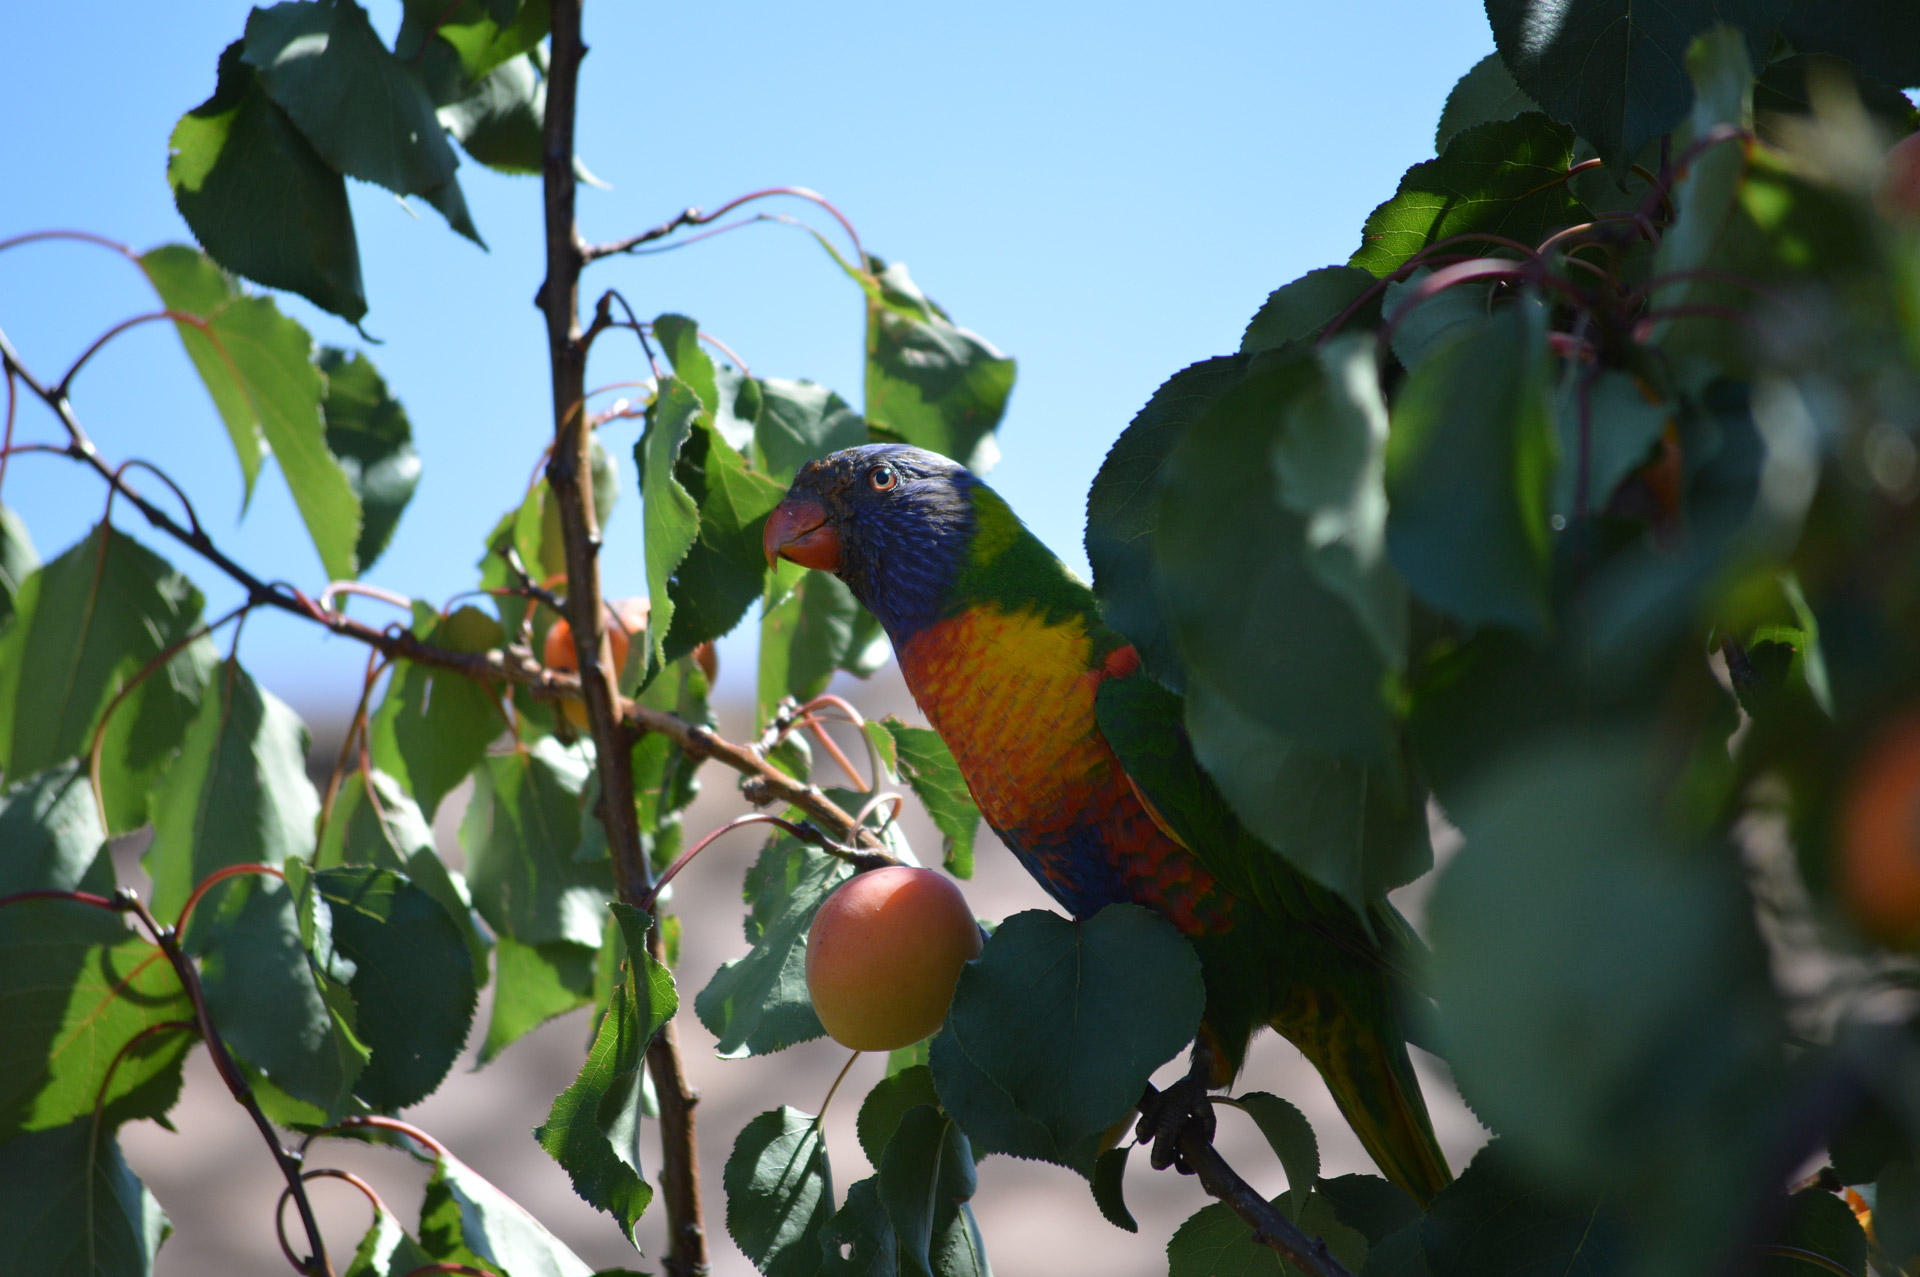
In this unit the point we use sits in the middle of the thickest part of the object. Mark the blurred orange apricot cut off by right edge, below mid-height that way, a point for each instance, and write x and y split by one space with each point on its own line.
1881 838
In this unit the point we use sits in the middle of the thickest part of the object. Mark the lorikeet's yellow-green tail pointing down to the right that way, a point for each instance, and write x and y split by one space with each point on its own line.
1374 1084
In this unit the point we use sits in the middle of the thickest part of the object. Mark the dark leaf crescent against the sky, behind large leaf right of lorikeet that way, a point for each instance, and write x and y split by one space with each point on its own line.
1124 512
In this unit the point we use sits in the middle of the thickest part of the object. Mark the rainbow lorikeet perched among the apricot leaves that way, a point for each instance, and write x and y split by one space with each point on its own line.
1007 656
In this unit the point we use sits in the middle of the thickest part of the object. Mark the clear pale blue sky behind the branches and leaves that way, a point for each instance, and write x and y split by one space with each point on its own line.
1107 193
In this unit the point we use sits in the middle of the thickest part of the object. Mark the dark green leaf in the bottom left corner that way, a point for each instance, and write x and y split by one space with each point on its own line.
72 1209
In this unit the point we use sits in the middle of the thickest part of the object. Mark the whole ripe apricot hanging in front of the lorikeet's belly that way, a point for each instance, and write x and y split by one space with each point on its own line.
884 955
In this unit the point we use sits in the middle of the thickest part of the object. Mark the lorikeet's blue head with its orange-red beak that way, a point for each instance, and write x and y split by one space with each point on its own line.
888 519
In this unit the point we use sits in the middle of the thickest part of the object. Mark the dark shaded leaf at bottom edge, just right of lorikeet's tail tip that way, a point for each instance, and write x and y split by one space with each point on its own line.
1504 1218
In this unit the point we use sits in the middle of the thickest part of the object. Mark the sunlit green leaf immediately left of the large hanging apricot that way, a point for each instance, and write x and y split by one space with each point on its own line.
759 1005
